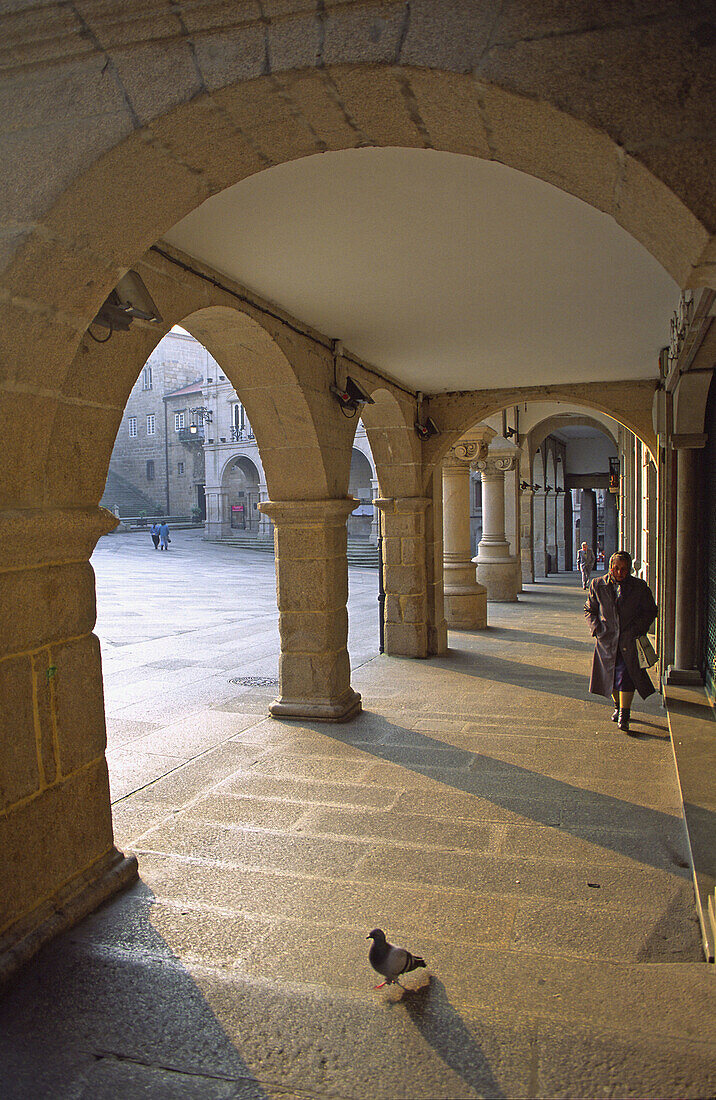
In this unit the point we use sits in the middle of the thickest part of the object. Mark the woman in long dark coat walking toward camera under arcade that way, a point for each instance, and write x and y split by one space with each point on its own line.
620 610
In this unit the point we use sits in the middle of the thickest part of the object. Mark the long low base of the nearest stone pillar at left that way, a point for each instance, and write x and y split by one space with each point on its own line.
80 898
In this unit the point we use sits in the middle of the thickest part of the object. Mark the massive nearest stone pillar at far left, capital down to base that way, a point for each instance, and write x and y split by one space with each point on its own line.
59 857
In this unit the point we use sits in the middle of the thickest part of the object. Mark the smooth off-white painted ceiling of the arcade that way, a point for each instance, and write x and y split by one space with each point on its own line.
445 271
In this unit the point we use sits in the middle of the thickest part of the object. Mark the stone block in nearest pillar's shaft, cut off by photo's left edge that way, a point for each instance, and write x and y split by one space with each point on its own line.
19 772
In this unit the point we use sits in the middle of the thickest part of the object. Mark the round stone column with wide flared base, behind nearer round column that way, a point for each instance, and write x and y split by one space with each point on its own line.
495 564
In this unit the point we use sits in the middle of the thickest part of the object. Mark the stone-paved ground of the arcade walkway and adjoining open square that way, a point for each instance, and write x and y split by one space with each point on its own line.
483 810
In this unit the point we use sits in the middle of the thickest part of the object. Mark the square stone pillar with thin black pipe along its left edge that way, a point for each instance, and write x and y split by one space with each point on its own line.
414 619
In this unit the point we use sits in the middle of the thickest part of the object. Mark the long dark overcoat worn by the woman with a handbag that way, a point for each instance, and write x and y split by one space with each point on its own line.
616 628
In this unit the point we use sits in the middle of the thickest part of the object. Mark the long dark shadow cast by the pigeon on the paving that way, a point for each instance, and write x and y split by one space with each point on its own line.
442 1026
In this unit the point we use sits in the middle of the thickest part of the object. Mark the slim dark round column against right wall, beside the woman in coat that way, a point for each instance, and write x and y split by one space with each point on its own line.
685 667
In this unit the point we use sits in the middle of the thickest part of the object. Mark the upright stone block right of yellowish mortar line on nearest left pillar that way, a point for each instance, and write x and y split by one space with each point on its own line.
80 703
